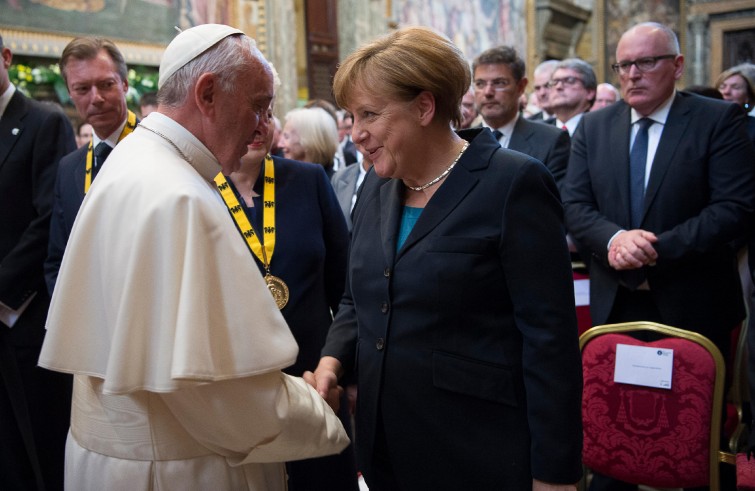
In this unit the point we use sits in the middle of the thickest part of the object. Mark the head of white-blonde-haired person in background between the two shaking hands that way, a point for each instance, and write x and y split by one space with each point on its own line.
310 135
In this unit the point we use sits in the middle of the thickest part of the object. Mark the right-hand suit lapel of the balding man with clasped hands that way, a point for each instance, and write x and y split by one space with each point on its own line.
673 131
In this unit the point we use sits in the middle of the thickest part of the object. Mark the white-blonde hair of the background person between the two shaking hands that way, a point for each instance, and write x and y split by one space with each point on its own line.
318 134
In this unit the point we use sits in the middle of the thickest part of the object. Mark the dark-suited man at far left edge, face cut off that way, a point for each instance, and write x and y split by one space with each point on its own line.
34 408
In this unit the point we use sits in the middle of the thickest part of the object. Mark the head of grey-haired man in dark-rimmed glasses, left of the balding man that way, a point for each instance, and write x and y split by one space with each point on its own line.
572 92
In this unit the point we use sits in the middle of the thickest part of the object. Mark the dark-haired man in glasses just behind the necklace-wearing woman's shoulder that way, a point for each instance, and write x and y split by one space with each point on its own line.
498 78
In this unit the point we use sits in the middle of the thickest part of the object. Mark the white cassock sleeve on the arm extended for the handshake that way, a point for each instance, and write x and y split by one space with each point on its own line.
266 418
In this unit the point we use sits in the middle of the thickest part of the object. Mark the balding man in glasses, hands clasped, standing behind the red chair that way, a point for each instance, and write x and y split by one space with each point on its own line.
659 244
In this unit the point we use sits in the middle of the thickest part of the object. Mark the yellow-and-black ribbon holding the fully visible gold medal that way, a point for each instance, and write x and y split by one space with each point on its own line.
262 252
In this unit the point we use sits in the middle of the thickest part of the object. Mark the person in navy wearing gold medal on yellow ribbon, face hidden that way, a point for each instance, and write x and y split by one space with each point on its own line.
289 216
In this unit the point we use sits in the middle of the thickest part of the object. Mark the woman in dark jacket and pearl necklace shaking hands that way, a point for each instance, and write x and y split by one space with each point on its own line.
459 388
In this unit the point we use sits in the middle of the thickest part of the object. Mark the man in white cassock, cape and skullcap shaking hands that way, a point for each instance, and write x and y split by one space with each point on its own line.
160 313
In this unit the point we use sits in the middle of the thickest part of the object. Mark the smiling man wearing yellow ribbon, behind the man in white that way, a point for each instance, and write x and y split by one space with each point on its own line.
96 76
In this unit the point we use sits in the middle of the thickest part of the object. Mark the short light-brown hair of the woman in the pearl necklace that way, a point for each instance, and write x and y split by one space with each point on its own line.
405 63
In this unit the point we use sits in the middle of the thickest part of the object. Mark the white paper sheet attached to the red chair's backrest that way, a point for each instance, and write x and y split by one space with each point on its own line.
643 365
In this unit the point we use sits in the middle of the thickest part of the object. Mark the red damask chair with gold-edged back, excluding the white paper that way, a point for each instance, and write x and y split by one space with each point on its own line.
667 438
